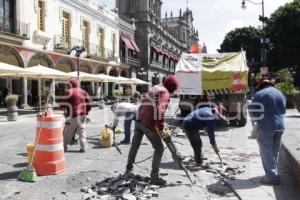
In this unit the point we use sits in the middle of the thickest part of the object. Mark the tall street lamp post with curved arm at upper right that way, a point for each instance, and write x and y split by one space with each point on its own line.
263 19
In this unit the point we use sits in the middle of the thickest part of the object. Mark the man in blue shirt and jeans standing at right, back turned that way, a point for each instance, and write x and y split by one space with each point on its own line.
267 110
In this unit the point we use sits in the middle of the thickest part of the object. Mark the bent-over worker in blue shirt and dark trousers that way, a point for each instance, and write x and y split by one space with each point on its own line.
203 118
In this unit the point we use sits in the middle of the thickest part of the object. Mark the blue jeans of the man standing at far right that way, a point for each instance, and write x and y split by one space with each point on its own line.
269 144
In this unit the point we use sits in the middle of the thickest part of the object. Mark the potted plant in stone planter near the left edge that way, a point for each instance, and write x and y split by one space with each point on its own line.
12 109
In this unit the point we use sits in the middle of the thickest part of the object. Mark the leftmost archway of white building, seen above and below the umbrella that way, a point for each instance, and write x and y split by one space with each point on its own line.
14 85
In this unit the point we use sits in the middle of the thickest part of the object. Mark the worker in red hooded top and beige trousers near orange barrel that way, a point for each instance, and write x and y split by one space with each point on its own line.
77 104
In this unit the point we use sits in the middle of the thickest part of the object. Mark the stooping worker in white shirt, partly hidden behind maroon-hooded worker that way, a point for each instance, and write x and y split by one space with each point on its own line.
128 110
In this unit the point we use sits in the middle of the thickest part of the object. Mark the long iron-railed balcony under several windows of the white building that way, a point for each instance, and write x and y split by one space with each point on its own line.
93 51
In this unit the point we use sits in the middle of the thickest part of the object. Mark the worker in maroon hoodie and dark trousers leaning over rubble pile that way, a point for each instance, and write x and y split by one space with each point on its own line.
150 122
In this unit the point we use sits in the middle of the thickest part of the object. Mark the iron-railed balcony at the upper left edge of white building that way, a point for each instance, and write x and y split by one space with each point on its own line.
14 27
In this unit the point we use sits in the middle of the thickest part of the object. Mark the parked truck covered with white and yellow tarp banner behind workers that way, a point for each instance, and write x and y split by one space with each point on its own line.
221 77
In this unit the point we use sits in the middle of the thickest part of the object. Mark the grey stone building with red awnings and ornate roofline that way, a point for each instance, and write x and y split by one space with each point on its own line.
161 41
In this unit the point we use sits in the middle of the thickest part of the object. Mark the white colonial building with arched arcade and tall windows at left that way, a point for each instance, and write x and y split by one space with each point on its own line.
43 32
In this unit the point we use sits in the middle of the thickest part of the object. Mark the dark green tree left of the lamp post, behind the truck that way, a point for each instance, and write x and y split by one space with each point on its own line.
247 38
